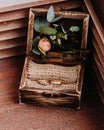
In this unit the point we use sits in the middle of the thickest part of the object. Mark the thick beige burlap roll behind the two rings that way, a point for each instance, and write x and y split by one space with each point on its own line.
50 71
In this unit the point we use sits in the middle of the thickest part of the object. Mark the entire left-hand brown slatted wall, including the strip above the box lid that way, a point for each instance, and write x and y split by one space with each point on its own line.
14 24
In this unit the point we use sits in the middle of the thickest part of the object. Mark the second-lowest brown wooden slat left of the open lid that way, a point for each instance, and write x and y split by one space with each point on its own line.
16 42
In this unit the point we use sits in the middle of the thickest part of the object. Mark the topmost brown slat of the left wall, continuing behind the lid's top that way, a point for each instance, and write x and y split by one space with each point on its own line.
22 13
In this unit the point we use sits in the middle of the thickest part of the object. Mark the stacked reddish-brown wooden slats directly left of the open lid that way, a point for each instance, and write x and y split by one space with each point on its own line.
13 31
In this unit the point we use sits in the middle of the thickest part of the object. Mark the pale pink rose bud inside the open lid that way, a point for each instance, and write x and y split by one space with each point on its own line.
45 44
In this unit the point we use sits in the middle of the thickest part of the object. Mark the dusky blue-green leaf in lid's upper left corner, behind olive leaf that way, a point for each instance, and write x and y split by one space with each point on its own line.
40 22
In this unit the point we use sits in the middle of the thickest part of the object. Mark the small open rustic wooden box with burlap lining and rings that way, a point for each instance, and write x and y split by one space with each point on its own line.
53 80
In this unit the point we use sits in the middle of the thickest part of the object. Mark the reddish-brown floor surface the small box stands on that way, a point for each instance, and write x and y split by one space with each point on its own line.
14 116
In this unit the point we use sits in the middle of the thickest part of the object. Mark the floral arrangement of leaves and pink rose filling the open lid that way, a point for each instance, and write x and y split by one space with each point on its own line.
57 34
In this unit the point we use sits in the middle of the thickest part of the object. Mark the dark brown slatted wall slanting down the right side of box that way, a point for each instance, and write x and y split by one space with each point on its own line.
96 45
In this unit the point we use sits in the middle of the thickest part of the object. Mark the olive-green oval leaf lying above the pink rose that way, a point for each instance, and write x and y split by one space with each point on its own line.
47 30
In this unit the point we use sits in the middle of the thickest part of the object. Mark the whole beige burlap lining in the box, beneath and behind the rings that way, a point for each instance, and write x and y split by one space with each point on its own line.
48 72
